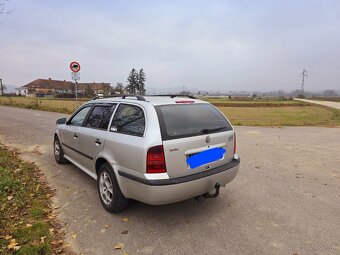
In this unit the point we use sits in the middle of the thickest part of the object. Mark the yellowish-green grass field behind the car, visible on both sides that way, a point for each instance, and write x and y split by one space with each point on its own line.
245 113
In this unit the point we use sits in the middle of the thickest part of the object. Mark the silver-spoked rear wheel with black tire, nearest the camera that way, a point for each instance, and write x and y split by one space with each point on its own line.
109 192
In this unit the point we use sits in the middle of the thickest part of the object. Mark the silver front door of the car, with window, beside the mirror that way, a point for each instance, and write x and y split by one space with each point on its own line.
70 134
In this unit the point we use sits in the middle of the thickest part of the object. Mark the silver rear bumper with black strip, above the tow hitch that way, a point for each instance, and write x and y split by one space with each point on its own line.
165 191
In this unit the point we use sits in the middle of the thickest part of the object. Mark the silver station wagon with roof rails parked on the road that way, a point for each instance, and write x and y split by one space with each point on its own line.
154 149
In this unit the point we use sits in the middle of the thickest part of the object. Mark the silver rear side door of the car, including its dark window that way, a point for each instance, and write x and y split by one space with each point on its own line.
92 134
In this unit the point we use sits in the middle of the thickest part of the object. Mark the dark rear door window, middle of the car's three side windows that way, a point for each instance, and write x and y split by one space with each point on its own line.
100 116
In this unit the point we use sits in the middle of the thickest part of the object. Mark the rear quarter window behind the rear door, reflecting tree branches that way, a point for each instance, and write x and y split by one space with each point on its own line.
129 119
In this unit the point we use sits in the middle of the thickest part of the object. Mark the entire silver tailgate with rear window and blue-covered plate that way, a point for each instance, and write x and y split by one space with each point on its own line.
196 138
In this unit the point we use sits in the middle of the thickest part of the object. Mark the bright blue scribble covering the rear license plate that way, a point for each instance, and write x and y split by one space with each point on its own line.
205 157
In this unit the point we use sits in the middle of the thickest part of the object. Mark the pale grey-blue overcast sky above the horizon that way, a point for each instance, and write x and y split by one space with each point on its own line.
222 45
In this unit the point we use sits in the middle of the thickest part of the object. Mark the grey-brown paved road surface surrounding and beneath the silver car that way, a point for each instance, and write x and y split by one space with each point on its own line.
285 200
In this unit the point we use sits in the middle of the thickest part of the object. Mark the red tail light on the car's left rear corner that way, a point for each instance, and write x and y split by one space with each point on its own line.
155 160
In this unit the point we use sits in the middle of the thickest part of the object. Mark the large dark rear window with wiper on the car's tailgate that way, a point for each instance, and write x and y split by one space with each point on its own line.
184 120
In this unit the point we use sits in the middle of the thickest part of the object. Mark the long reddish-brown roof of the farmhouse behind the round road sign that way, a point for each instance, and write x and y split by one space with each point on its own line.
63 85
